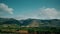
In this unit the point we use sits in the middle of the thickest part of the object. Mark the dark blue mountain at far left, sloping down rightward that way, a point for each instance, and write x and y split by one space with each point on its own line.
9 21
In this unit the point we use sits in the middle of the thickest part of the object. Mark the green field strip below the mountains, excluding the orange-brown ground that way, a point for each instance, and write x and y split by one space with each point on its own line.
14 28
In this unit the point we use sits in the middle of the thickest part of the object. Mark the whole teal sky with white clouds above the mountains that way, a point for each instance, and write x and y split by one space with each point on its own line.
23 9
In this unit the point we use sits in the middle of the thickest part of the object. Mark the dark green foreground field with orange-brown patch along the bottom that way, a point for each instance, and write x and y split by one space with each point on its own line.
29 30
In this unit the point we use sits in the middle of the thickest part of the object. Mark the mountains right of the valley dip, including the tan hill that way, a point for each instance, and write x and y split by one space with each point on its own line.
41 23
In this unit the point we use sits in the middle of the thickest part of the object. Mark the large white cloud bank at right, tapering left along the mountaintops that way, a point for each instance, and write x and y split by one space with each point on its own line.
42 13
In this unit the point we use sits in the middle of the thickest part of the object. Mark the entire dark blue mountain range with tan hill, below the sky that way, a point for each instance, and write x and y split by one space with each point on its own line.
31 22
